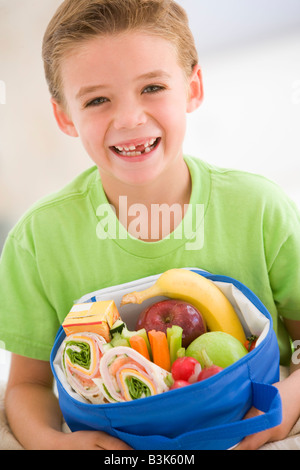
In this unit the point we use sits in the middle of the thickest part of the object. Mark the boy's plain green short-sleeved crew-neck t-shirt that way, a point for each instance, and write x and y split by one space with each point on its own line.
71 243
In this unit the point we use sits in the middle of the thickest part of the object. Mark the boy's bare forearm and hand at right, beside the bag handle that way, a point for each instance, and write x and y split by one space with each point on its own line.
290 397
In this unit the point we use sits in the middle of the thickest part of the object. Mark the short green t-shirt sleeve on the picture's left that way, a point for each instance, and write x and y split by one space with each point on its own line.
28 322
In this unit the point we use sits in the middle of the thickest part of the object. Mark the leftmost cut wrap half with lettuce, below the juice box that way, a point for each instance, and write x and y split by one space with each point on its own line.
81 356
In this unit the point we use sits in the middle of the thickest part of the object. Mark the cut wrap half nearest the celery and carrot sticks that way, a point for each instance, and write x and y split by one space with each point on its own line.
127 375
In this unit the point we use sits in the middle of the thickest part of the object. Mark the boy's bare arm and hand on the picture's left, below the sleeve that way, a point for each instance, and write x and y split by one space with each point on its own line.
34 415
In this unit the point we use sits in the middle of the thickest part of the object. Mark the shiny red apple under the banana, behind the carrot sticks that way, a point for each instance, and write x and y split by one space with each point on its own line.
162 315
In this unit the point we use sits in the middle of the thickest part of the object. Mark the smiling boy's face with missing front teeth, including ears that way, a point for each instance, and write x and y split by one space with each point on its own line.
127 99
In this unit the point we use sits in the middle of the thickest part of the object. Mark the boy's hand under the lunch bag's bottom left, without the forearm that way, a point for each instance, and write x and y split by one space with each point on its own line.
90 440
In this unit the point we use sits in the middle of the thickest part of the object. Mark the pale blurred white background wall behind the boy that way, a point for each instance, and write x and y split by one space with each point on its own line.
250 119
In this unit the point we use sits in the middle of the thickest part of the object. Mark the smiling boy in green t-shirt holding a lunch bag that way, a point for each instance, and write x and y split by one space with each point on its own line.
122 75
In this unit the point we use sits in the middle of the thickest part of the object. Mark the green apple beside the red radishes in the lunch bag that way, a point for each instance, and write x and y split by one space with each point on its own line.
221 348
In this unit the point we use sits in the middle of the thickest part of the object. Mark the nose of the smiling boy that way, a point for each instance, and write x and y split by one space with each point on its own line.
129 114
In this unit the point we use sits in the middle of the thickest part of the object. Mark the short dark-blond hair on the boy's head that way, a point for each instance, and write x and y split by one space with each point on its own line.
76 21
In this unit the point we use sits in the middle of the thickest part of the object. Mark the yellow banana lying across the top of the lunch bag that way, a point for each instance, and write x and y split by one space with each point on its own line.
187 285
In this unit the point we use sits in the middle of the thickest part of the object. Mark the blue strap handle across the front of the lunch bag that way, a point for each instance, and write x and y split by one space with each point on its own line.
266 398
